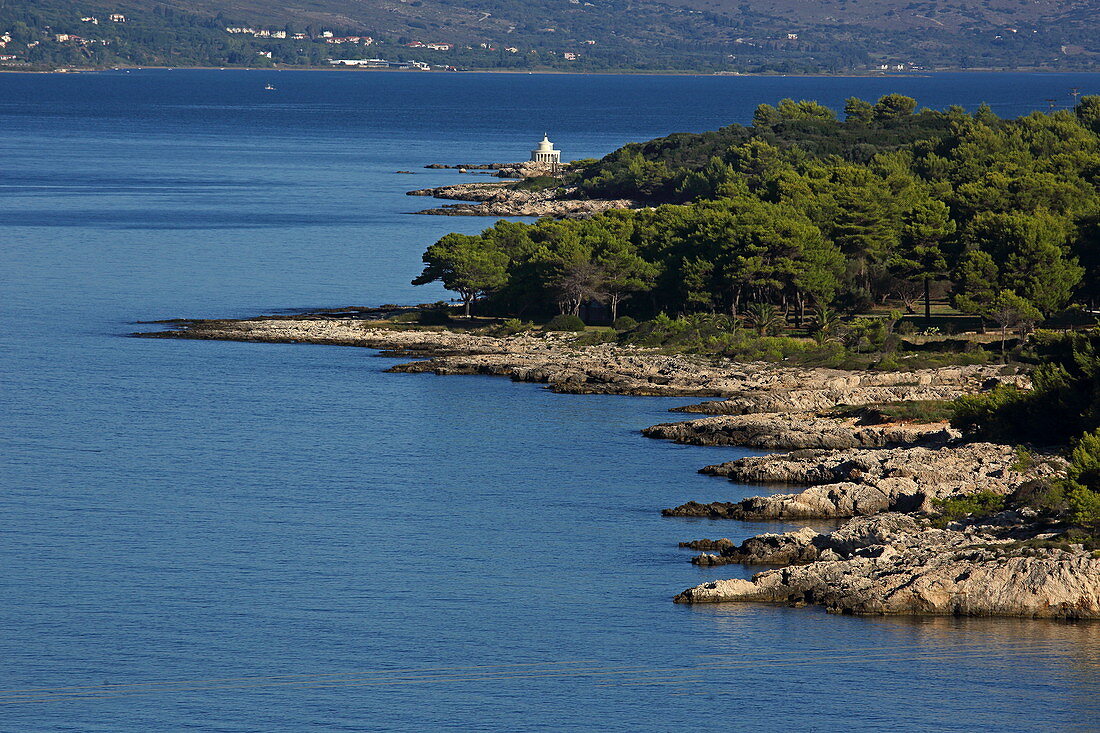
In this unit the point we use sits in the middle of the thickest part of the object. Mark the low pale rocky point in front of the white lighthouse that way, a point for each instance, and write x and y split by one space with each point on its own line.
504 200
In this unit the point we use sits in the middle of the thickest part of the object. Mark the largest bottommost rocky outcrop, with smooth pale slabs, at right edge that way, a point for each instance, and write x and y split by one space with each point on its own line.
889 565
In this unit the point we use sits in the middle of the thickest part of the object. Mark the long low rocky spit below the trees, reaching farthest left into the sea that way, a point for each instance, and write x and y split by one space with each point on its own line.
556 360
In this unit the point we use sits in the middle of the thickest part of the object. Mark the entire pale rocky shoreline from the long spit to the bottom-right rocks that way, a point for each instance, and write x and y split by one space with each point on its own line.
883 478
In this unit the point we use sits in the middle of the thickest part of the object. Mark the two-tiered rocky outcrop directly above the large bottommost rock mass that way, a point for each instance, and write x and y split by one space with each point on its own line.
865 483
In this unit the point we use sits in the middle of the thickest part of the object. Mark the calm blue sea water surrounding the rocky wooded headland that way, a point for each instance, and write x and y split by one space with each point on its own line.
239 538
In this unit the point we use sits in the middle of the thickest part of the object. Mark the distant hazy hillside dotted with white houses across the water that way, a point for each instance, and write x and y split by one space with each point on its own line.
706 36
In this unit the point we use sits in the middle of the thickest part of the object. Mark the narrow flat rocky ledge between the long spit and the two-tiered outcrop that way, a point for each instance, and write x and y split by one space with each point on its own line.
798 431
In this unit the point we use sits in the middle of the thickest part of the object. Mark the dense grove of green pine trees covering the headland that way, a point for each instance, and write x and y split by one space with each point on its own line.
802 211
